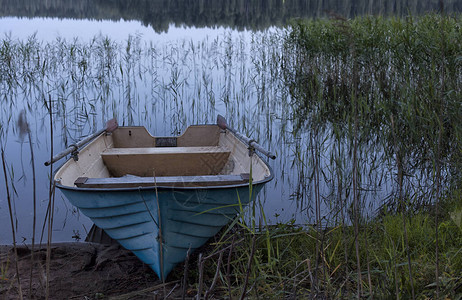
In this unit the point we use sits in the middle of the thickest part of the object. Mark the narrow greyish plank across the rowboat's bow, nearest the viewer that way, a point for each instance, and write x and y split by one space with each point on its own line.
174 181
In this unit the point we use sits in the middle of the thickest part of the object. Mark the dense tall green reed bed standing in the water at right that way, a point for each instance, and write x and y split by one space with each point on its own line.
394 103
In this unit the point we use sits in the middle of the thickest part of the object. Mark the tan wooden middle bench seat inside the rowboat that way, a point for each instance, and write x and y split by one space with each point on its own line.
165 161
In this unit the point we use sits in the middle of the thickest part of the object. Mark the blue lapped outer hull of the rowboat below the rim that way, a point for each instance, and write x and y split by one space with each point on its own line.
161 225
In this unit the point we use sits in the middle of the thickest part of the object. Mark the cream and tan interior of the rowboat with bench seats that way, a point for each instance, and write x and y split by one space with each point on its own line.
204 155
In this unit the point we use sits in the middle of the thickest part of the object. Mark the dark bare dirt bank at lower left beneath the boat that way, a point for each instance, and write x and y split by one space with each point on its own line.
80 271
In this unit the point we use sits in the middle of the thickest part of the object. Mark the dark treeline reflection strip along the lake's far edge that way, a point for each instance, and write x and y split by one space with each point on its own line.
238 14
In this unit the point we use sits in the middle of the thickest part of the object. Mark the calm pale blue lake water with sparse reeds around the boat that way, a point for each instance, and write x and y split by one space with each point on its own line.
165 67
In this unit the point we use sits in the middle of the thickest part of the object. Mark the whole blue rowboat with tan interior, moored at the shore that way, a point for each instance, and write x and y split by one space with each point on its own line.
161 197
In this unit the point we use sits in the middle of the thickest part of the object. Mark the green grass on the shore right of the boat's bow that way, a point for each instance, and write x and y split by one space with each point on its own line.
285 263
